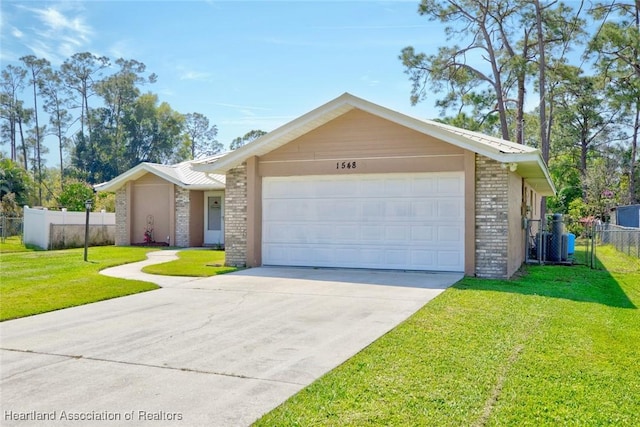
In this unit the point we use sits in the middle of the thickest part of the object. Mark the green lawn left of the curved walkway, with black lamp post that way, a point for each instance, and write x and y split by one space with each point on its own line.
36 282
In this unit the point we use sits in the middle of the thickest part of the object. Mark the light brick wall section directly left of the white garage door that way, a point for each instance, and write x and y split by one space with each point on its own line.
235 217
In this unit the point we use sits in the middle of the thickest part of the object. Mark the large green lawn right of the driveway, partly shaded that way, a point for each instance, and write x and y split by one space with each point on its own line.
554 346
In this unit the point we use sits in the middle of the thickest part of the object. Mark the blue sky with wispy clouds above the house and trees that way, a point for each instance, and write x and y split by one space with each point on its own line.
245 65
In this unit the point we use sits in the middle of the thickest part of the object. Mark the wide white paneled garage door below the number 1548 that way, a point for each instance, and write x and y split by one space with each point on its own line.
388 221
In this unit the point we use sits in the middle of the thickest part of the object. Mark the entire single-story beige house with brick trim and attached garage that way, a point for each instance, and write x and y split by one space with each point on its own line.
353 184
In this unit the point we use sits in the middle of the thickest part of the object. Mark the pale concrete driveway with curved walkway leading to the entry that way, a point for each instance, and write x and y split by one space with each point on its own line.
198 352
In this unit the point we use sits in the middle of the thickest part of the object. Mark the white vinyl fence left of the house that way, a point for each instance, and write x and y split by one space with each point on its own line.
62 229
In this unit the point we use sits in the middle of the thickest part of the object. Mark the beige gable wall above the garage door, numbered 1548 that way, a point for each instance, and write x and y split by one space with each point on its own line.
375 144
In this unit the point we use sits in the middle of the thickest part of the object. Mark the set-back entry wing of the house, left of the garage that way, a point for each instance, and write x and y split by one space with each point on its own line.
172 204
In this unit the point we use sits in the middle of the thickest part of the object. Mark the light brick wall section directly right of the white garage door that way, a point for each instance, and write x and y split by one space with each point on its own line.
492 223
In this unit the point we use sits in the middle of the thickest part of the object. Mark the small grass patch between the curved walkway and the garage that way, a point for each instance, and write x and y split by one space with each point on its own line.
194 263
